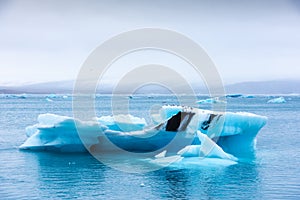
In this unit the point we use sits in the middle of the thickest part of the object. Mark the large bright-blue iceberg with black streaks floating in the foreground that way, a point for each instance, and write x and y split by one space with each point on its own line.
178 133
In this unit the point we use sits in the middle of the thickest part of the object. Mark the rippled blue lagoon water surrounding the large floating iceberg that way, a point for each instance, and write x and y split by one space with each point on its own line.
273 174
